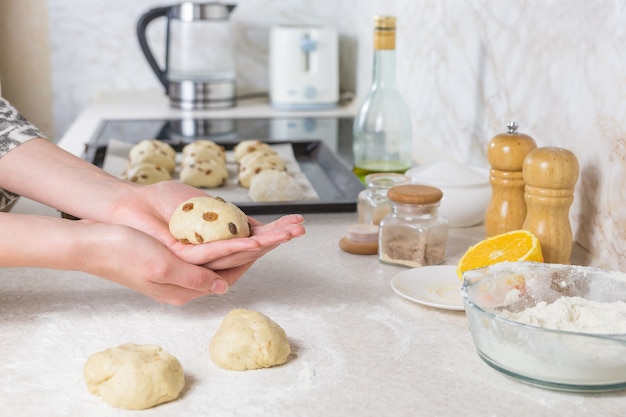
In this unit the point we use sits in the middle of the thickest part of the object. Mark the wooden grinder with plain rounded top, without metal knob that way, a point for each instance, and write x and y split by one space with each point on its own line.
550 174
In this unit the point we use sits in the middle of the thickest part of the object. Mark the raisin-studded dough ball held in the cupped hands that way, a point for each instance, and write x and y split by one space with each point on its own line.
206 219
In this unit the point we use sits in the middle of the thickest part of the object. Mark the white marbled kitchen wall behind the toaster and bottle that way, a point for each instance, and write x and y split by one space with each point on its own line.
466 67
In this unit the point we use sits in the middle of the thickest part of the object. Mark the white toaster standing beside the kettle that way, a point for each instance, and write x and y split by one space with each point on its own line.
303 67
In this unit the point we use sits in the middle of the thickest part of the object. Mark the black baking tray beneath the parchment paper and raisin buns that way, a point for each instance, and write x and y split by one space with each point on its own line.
330 176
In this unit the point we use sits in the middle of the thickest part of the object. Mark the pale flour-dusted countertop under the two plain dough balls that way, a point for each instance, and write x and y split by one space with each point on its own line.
359 349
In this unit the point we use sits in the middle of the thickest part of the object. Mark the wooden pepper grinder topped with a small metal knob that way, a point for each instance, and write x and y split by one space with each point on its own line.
507 209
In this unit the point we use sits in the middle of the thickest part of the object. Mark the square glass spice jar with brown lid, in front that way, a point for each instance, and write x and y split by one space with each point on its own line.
413 234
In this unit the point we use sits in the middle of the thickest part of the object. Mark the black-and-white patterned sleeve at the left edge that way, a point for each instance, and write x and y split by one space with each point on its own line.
14 130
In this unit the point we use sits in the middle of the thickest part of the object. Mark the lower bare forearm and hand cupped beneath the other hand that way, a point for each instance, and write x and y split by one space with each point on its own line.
118 253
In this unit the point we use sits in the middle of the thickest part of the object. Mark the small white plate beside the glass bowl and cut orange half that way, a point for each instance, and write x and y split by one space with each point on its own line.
435 286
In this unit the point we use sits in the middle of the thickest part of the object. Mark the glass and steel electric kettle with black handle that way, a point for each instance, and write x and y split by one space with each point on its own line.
199 66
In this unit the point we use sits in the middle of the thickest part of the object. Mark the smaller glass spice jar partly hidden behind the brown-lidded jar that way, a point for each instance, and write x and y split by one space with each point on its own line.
372 203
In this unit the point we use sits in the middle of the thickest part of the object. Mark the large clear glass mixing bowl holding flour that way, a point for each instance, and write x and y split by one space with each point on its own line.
568 360
